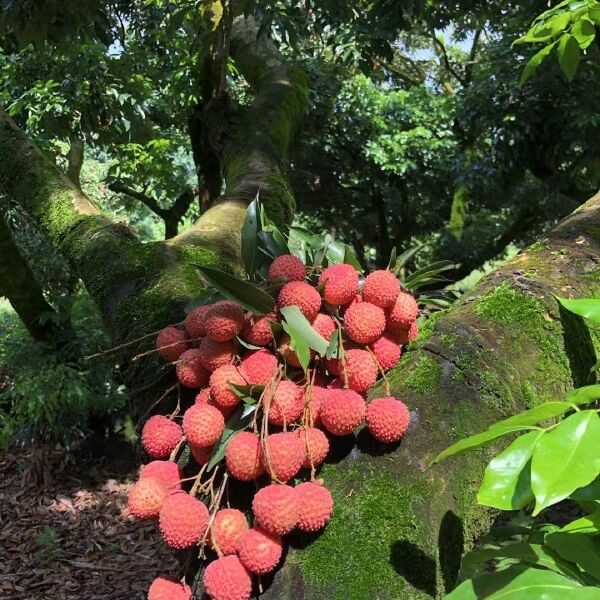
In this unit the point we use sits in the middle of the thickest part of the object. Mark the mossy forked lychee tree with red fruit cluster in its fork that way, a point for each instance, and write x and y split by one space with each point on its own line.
274 378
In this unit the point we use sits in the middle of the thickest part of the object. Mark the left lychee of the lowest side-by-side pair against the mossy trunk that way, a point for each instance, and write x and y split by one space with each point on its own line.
276 508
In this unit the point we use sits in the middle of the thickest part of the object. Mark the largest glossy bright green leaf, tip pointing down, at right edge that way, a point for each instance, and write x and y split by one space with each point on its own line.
566 458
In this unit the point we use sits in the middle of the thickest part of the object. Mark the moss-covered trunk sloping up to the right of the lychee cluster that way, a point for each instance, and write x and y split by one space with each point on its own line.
400 527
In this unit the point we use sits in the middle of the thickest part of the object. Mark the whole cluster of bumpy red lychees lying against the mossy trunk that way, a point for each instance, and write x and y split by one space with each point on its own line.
222 350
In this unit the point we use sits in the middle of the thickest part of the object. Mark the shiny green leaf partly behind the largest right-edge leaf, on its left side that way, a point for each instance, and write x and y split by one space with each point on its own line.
507 483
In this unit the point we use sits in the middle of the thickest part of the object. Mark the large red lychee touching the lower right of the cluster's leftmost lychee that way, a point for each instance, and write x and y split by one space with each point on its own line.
183 520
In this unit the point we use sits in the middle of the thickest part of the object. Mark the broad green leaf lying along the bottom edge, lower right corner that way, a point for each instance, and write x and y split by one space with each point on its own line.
522 583
